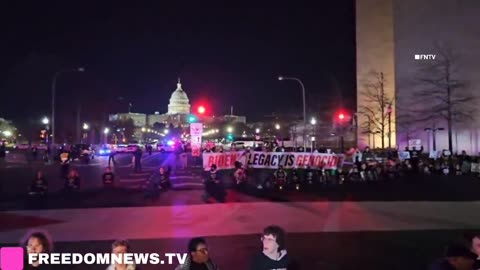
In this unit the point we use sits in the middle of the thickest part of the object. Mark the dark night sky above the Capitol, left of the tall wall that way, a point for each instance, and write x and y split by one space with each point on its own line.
228 56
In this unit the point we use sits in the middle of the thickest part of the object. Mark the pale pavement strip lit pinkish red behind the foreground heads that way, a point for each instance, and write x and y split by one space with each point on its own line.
244 218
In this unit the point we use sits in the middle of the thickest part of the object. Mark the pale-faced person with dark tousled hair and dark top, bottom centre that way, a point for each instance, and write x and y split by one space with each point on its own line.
274 253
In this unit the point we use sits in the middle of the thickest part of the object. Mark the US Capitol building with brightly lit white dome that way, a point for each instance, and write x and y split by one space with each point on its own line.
178 112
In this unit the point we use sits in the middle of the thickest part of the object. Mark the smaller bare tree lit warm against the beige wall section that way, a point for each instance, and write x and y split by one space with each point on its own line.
375 110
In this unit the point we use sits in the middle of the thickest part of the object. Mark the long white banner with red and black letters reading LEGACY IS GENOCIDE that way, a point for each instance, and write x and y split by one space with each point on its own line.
271 160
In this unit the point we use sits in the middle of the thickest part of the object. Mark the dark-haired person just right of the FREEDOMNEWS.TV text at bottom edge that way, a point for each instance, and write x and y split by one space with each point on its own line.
198 257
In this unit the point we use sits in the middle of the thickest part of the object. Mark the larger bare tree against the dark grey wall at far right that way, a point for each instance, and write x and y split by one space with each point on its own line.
443 95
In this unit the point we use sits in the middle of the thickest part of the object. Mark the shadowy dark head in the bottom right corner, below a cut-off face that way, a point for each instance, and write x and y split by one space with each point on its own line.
457 257
